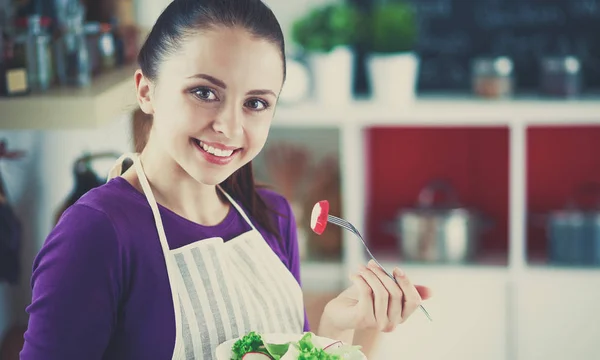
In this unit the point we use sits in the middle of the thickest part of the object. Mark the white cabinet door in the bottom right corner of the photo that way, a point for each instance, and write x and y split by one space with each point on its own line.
558 313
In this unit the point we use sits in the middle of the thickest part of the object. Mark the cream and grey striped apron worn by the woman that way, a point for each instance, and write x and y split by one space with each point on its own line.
222 290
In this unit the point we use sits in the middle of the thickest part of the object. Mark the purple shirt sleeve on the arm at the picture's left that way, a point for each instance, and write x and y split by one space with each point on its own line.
76 285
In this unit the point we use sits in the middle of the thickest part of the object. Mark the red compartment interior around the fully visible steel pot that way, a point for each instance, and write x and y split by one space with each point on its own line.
402 162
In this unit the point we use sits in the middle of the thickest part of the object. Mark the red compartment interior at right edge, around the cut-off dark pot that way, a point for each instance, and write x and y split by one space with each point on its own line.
559 161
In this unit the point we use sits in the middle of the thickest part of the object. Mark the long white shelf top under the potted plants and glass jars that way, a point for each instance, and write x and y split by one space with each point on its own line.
444 110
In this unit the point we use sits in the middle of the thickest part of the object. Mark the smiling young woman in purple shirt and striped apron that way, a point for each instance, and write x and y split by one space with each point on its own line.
181 252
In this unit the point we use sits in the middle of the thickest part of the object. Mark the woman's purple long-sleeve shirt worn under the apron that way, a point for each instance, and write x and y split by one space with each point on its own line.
100 285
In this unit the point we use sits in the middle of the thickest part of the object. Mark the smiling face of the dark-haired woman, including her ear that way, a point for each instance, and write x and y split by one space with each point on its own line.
213 101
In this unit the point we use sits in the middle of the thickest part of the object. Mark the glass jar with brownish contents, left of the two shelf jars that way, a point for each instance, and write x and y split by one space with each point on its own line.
492 77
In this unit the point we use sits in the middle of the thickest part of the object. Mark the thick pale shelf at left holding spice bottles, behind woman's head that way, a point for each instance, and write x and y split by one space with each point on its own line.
108 96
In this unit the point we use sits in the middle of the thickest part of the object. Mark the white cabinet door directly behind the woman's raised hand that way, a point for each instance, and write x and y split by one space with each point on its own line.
469 320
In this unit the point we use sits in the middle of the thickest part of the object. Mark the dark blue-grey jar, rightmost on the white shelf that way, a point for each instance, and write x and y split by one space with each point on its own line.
560 76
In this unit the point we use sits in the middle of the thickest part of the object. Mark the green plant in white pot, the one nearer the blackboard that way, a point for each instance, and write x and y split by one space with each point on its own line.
391 62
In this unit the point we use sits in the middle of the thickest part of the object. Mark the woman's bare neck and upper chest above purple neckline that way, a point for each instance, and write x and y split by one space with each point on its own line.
190 199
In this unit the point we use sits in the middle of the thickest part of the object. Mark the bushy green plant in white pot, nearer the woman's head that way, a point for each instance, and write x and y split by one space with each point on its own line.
327 34
